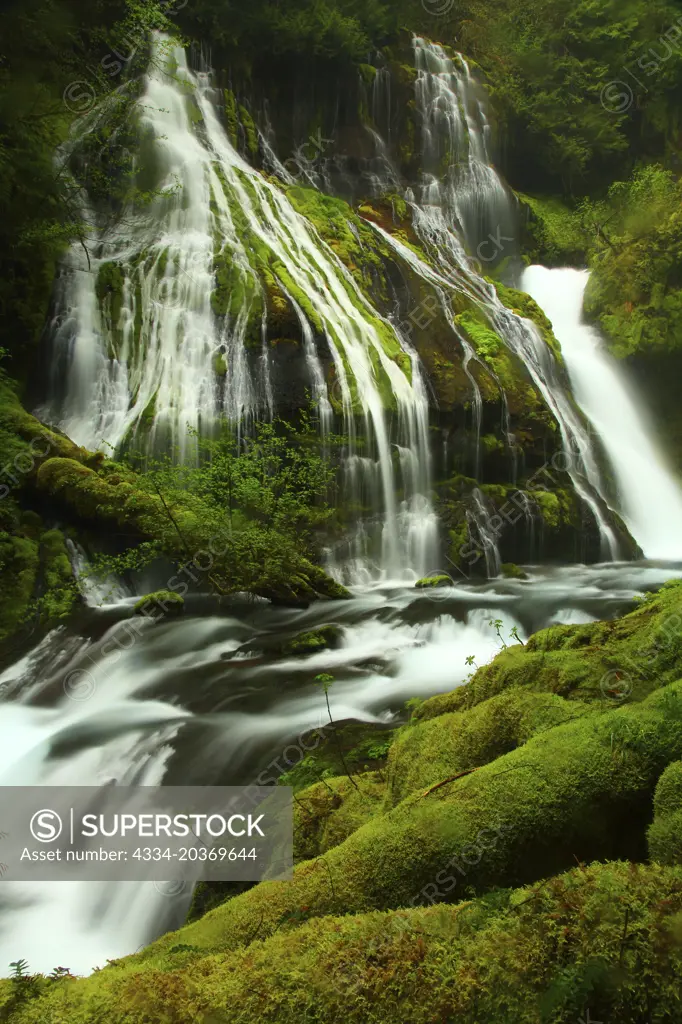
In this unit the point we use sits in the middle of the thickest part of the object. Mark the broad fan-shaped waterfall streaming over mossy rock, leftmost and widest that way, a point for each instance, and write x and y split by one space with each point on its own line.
187 283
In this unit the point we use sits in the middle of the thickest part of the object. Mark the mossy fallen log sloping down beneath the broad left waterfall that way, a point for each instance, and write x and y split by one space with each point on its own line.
89 490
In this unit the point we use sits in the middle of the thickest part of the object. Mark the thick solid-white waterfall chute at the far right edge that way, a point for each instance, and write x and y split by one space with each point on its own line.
649 497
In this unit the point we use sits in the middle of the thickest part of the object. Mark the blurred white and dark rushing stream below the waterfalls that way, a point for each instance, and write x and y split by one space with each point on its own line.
211 700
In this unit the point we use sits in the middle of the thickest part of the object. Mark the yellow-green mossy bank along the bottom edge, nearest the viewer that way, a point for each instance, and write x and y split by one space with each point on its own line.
606 937
